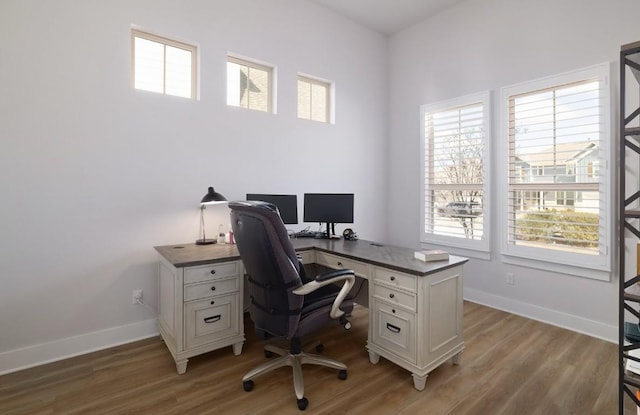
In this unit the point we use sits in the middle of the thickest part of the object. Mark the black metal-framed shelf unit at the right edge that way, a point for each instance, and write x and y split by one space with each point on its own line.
629 215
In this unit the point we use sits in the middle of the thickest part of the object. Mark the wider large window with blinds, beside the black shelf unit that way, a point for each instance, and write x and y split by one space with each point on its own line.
559 123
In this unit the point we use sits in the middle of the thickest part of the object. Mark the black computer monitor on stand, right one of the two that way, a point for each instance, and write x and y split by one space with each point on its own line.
330 208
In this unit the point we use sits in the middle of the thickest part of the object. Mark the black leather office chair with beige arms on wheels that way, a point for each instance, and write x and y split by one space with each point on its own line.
284 303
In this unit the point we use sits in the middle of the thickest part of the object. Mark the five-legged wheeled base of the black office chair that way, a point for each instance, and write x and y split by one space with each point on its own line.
286 358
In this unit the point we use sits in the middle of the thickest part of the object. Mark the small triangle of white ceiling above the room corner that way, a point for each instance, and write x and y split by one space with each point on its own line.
388 16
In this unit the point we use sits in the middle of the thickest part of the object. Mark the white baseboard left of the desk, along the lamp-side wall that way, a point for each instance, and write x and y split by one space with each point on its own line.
19 359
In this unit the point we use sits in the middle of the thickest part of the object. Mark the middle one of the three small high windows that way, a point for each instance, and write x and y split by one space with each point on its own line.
249 84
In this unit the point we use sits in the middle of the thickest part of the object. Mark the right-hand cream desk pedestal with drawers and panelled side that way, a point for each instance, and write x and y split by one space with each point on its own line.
418 335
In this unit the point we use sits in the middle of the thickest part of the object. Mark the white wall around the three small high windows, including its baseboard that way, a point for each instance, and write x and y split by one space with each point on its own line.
94 173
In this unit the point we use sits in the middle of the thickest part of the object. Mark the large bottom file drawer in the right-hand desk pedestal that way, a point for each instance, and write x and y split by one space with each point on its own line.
394 330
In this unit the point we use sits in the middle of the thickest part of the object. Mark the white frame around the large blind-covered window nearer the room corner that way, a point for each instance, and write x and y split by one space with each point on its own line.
479 248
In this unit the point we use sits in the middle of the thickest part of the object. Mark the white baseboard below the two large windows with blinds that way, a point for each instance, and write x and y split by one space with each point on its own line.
578 324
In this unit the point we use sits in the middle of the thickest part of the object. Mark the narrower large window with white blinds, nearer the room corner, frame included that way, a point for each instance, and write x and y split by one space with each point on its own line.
454 163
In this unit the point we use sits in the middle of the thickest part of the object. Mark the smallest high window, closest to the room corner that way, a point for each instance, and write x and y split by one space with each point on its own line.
314 97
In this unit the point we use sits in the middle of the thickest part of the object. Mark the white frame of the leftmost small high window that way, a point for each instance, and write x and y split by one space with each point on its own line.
191 47
